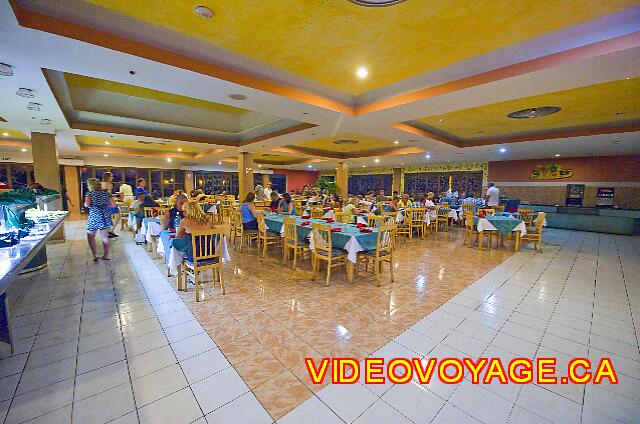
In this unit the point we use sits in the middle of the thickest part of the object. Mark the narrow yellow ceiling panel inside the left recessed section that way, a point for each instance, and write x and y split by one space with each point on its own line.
74 80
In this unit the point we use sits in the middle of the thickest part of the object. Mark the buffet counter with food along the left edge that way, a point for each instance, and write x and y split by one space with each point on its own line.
28 255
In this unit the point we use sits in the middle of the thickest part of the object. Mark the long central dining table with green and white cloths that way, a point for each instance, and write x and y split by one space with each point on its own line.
349 237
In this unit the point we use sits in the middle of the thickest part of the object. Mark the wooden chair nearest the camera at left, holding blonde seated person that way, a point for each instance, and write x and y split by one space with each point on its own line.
207 254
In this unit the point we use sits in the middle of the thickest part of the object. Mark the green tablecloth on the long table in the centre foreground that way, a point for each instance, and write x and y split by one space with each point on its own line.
338 239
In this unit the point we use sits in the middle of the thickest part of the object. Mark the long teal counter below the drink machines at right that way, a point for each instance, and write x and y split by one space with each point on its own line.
610 221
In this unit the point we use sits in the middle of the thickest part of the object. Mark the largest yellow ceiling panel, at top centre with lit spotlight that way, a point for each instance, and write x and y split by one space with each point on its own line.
326 41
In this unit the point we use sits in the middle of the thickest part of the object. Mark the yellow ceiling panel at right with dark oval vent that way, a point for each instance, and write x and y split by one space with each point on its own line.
598 104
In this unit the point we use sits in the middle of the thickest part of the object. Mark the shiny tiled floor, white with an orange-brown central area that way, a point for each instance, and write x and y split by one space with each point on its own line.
114 342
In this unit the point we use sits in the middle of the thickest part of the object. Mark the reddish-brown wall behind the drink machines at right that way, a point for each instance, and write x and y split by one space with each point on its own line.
620 172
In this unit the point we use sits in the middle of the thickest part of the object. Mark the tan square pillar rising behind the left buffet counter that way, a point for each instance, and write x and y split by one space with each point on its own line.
45 166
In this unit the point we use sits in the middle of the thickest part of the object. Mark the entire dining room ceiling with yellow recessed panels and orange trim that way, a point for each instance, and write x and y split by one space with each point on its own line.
441 78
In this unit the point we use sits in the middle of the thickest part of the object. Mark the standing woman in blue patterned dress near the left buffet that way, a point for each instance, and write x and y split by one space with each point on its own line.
99 203
